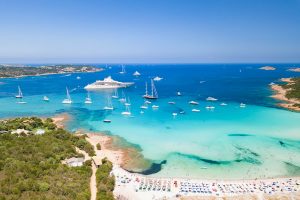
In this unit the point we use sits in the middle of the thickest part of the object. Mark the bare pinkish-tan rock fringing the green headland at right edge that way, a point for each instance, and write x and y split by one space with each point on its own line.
280 94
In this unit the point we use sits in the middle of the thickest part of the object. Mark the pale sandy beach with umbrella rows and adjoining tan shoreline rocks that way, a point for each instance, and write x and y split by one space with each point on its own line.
141 187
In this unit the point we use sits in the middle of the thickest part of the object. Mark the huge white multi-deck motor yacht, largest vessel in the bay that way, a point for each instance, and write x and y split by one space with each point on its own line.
107 83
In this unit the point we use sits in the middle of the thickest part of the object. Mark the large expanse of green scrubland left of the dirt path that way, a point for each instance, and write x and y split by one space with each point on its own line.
30 165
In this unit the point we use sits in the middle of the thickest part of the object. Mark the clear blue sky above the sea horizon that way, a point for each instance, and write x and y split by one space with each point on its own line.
149 31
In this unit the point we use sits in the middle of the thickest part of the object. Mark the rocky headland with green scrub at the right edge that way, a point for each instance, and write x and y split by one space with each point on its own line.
288 92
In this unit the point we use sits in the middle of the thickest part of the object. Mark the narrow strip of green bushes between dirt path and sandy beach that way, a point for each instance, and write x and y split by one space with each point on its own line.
105 182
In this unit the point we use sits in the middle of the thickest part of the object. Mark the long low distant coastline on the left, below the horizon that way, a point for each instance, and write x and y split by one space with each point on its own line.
15 71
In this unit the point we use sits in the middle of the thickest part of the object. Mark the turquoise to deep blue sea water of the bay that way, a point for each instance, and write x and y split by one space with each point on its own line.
258 141
